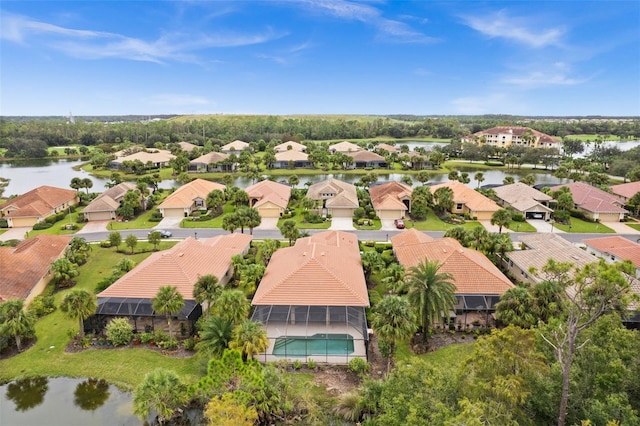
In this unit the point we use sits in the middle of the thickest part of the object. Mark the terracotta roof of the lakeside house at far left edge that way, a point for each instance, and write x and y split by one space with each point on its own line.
38 202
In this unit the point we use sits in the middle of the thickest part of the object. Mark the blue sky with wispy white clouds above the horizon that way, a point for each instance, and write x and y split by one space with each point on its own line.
320 57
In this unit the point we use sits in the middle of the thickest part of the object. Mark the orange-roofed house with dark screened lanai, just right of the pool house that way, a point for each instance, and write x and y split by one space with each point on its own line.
479 283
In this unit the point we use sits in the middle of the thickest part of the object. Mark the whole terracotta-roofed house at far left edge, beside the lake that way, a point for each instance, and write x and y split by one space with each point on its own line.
36 205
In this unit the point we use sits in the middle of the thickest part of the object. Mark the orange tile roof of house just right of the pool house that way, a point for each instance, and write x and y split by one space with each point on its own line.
472 272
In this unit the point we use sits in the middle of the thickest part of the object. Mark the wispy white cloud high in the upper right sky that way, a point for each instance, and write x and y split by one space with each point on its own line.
522 30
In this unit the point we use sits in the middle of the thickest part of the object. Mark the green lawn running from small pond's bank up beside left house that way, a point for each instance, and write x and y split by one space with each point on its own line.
124 367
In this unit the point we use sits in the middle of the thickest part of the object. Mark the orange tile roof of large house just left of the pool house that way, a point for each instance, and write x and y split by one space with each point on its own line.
180 266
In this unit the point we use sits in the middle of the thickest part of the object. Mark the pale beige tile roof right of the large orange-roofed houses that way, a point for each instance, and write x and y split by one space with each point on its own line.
544 246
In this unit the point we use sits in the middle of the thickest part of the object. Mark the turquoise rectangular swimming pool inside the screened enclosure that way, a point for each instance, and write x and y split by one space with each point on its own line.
318 344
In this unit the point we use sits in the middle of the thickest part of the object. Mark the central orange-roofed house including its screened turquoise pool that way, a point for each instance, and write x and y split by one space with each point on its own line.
312 301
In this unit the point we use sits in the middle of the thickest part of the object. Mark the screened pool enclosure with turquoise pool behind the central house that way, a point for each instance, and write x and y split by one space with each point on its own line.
328 334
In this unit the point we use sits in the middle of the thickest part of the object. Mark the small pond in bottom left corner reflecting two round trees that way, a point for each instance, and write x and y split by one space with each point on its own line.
64 401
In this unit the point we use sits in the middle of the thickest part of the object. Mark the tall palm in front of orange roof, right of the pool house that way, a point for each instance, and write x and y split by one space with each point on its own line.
431 293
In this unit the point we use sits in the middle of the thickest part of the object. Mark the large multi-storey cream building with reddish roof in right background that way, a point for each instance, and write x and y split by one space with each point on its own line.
507 136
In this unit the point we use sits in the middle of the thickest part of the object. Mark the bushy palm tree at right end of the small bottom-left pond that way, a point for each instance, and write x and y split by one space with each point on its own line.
160 391
